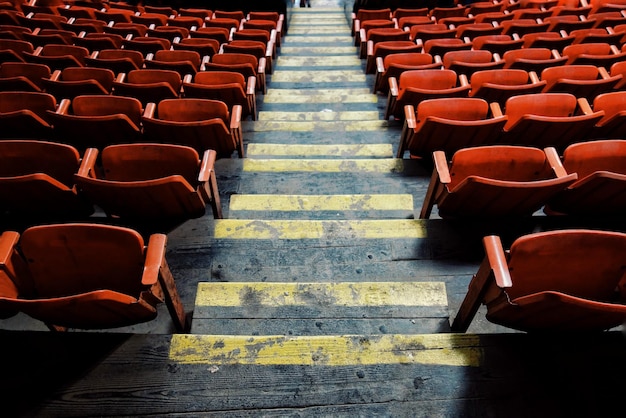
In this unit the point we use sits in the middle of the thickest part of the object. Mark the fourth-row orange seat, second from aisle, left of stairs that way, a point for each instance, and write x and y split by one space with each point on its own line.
148 85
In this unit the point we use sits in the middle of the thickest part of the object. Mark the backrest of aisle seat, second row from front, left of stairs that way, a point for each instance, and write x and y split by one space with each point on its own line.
137 162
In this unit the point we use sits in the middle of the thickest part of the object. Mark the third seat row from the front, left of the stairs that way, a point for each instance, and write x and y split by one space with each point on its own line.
98 121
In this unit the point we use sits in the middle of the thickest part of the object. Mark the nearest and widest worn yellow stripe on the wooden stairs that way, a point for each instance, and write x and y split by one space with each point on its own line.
330 350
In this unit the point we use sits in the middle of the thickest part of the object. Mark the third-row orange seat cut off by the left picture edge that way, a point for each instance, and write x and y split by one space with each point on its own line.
24 114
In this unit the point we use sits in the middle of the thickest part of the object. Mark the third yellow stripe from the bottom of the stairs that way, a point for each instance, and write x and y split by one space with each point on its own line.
318 229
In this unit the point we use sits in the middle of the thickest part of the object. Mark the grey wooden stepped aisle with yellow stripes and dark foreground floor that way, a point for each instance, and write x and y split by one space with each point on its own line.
320 293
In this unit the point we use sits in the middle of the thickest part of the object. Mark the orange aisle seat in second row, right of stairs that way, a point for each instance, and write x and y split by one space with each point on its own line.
495 181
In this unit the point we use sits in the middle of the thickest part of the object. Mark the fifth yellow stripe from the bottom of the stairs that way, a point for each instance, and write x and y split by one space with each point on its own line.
382 165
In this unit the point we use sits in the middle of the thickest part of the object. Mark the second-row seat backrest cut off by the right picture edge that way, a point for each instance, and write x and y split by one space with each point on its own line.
586 158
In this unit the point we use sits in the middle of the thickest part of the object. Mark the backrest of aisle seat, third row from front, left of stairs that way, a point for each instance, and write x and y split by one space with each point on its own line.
192 110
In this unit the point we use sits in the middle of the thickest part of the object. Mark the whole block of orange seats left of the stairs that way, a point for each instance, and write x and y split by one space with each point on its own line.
130 106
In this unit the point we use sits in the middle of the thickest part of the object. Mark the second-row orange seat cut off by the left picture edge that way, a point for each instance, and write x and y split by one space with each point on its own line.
37 181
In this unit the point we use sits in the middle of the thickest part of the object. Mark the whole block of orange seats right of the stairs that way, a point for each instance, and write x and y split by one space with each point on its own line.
521 106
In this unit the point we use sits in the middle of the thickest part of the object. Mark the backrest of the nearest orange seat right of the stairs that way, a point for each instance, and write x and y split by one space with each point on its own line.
586 264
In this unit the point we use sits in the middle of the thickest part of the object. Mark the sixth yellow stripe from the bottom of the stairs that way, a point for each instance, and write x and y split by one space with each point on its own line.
304 150
